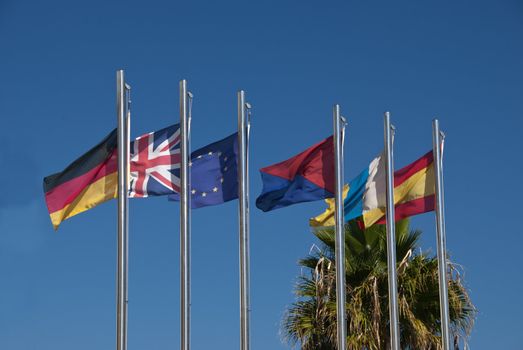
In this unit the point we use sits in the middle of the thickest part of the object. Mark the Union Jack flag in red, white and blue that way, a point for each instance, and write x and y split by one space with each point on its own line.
155 163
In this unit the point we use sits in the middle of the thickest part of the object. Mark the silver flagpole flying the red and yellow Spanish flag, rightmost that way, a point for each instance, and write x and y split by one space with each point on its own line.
437 143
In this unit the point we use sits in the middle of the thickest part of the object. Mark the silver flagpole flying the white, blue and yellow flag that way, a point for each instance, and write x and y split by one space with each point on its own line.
391 238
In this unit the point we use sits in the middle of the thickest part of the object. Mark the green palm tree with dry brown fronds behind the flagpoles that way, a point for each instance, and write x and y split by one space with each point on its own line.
310 322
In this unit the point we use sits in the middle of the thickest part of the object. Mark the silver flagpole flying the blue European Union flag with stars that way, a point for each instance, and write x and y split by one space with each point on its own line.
243 212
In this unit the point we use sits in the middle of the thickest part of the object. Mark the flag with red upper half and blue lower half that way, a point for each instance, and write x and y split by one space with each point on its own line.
306 177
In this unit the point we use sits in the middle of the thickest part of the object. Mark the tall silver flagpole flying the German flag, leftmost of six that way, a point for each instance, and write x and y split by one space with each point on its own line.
122 260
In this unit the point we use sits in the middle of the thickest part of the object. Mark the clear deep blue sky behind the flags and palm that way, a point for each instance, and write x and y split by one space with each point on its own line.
460 61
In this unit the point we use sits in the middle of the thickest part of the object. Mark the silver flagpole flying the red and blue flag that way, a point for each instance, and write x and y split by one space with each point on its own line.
339 129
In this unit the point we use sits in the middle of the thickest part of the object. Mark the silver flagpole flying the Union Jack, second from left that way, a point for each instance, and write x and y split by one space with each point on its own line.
184 223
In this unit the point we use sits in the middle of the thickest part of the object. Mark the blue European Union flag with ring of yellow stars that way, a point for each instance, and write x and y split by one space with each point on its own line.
214 173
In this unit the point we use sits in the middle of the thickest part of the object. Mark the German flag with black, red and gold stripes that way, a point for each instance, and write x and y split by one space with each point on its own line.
88 181
